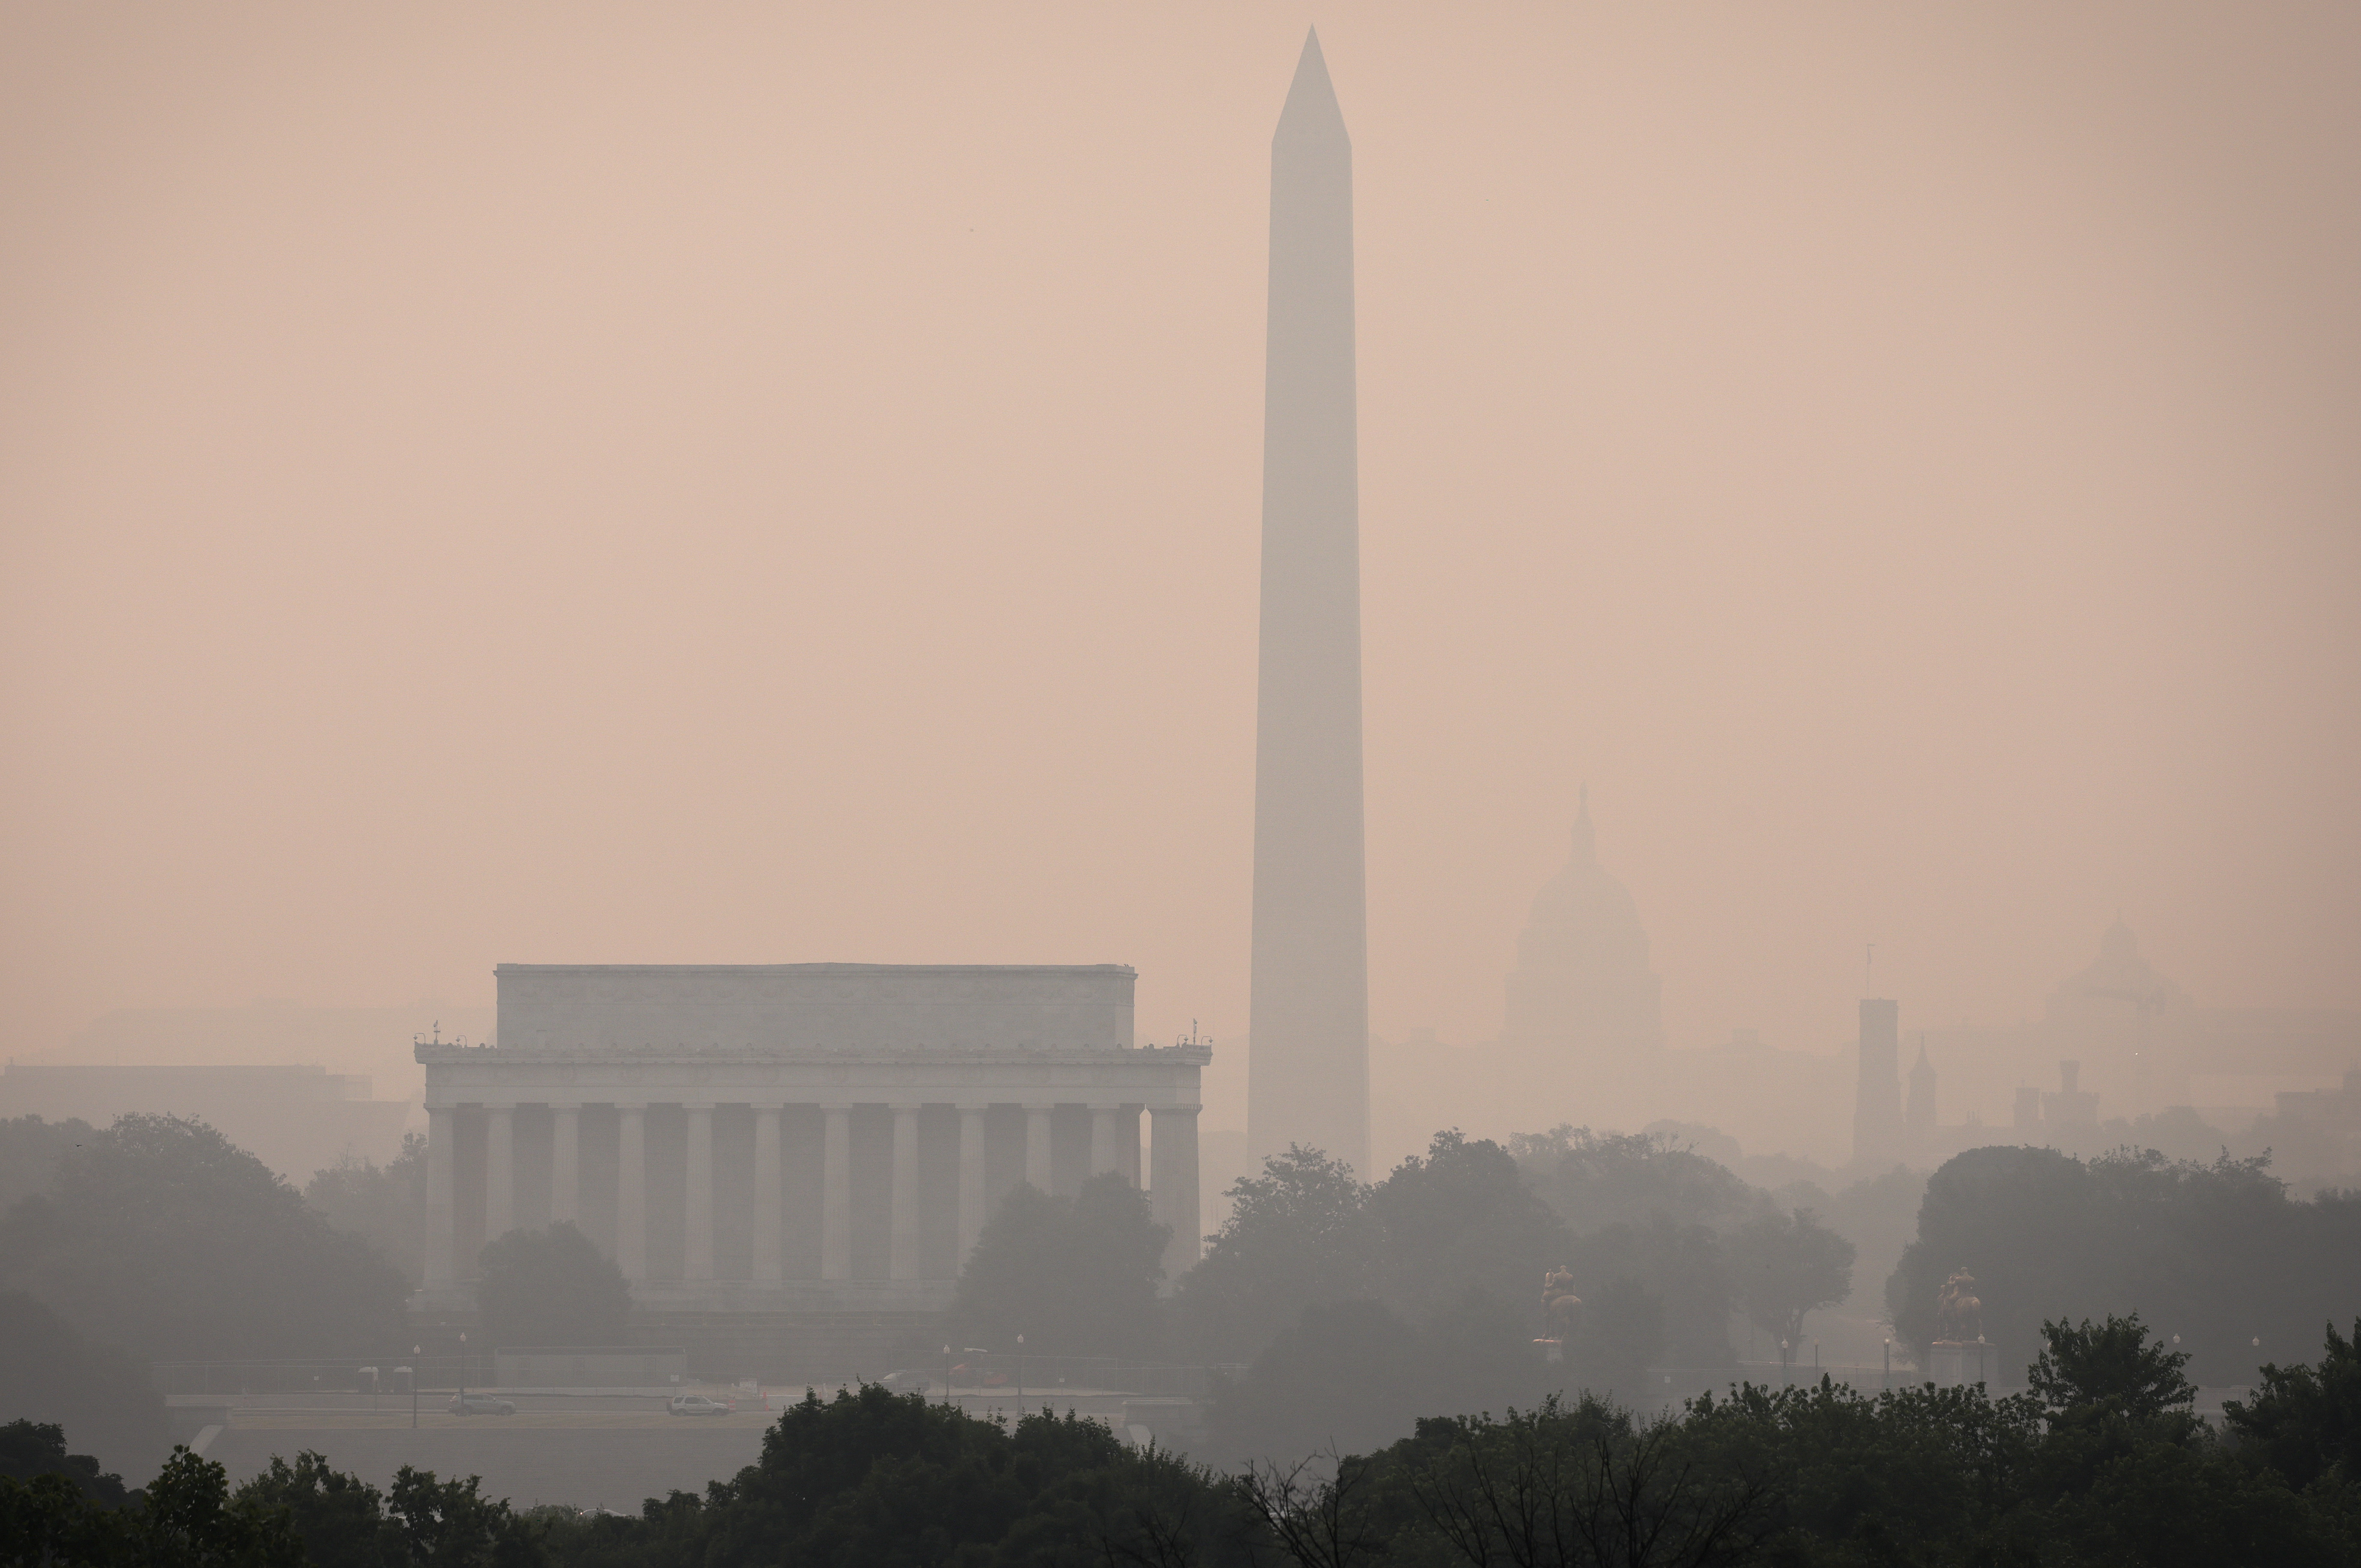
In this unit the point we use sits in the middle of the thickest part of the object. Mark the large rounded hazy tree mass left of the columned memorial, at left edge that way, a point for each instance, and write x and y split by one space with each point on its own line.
166 1239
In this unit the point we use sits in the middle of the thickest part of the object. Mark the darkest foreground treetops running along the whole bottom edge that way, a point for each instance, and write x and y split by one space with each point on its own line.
2100 1463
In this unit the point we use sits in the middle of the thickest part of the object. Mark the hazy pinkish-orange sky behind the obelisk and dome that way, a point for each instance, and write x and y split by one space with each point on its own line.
783 483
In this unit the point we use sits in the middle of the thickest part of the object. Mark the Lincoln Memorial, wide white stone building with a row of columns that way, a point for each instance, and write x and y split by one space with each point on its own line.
797 1137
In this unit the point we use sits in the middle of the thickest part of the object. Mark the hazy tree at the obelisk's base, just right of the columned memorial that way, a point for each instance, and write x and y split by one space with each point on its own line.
1297 1236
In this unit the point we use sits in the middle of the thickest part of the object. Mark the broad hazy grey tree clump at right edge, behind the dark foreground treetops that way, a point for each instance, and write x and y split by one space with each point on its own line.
2213 1253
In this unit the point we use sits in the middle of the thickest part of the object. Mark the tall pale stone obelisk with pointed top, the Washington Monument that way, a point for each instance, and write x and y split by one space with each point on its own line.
1309 1031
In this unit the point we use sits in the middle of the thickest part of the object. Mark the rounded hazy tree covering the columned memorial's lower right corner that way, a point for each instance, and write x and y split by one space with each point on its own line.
1078 1276
